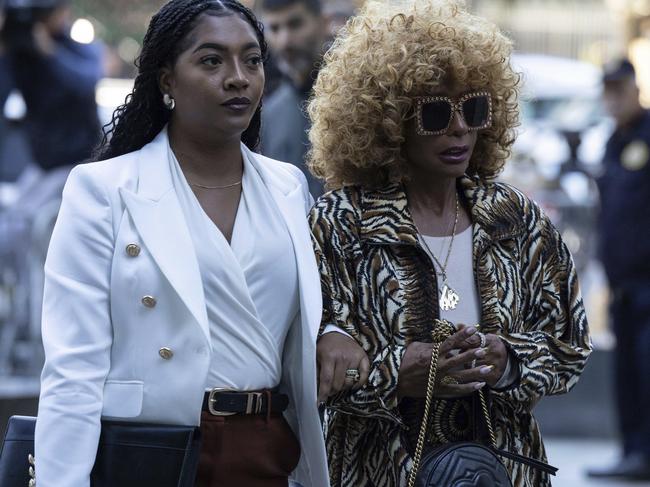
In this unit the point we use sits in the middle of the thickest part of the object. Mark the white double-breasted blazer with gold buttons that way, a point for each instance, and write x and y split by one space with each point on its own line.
111 353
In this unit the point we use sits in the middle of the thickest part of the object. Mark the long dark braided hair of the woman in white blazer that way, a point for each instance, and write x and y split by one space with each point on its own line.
143 114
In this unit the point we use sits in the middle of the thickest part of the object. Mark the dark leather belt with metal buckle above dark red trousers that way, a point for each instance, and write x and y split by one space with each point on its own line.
226 402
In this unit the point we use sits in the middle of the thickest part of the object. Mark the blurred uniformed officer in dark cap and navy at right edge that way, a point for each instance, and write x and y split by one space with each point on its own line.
624 247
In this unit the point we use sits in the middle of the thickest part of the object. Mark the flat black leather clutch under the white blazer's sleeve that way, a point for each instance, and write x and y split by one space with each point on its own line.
128 455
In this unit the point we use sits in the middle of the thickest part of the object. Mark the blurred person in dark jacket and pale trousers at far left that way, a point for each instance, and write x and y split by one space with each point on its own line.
52 124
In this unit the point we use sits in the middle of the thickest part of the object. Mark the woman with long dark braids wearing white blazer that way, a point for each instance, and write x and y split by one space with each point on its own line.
182 265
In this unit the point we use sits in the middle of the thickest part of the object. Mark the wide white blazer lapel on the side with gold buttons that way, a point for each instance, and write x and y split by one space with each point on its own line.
158 217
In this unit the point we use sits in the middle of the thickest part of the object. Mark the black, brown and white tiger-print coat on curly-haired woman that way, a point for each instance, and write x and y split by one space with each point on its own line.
380 286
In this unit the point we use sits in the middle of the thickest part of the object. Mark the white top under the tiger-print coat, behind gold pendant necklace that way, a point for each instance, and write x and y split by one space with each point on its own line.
460 277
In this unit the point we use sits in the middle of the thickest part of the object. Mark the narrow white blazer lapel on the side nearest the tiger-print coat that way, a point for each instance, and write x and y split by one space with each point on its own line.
291 202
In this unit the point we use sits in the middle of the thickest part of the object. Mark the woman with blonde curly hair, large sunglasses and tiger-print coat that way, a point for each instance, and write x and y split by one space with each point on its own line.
414 115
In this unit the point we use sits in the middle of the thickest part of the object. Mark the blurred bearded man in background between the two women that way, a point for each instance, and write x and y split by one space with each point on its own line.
297 33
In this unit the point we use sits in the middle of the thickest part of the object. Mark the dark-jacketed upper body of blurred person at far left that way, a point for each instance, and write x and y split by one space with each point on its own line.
56 76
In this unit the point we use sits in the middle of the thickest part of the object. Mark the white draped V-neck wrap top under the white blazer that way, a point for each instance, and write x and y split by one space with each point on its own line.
251 285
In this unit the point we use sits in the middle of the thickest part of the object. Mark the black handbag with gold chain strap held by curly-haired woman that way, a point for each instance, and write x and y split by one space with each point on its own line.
461 464
